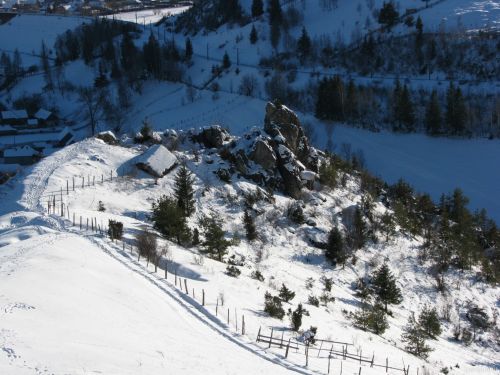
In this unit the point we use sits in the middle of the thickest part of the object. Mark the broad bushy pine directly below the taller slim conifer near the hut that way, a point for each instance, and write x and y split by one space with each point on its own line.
169 220
